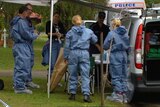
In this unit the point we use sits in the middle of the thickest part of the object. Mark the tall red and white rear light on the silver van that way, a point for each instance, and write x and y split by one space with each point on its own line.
138 47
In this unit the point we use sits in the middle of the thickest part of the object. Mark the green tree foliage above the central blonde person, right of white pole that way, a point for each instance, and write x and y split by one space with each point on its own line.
69 9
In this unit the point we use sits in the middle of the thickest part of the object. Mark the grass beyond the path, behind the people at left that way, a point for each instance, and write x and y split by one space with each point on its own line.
7 61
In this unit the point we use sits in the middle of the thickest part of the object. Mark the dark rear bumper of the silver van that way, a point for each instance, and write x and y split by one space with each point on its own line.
141 86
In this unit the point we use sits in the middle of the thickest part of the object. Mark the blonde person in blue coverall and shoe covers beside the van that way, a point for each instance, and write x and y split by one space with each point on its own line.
118 60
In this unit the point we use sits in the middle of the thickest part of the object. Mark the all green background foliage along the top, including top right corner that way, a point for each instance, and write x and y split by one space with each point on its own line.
67 10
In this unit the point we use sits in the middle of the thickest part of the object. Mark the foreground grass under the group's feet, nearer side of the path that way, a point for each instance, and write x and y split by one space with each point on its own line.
39 98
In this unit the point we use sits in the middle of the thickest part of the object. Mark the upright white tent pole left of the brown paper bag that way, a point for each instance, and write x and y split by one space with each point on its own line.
50 47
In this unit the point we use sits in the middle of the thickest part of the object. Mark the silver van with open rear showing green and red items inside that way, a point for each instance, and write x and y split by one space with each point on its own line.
144 68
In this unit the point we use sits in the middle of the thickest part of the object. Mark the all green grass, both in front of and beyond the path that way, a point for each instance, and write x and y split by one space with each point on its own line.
39 98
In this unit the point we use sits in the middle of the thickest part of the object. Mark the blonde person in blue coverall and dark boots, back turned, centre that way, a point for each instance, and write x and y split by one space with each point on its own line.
76 53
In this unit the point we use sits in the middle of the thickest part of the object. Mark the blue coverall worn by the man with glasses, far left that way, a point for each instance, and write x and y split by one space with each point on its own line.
22 51
